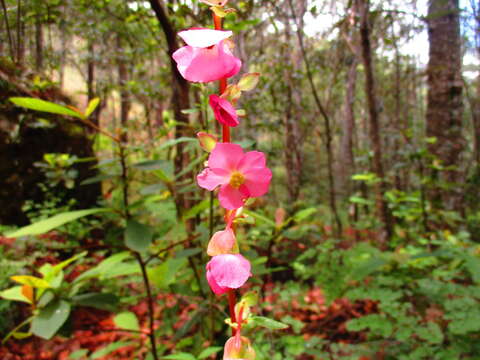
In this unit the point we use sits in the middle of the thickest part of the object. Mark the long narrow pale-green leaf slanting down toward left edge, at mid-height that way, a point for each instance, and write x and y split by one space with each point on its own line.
43 226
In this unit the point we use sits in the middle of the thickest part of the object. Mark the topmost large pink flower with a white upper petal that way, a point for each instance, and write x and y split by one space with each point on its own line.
207 57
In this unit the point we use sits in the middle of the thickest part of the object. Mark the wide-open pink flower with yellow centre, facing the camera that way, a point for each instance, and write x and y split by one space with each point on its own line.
240 175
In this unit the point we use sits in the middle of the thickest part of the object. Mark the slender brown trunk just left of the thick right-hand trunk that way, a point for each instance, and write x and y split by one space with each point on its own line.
370 90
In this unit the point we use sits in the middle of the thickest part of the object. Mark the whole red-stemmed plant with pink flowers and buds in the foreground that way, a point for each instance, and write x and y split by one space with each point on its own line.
237 175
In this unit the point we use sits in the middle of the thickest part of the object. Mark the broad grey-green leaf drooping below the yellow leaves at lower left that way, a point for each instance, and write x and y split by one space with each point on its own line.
50 319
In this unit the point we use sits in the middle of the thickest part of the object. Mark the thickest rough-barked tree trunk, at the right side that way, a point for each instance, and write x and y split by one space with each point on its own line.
445 107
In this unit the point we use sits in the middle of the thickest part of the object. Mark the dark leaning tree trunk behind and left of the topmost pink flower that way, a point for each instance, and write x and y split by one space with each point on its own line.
180 99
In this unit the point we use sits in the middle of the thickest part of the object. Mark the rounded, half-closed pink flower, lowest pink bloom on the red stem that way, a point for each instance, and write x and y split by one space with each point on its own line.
227 271
